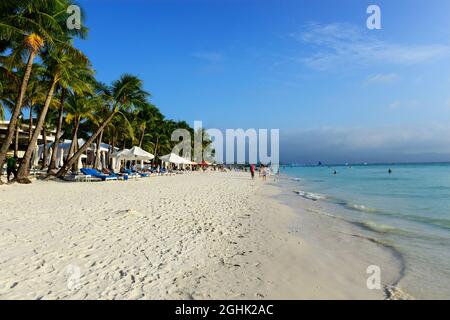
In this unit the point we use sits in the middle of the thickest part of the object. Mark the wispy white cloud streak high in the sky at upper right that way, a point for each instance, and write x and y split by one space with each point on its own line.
340 44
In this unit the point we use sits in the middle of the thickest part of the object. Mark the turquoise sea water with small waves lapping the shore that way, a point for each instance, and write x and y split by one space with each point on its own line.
408 209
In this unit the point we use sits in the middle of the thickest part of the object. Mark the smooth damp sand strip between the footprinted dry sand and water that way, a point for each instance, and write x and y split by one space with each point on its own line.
358 253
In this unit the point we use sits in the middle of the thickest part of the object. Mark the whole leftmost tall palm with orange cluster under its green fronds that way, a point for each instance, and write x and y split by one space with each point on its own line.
26 26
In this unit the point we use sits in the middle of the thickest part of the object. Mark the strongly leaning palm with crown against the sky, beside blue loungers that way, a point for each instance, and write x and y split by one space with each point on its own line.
127 93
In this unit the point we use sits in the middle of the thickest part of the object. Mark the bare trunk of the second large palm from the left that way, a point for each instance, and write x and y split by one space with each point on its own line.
22 174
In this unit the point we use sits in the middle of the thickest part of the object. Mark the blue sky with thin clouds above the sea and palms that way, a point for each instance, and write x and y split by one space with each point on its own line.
335 89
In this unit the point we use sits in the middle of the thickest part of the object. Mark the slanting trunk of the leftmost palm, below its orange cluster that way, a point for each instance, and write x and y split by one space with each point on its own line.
15 114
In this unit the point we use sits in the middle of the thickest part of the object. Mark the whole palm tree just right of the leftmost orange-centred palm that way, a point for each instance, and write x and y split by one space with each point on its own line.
60 62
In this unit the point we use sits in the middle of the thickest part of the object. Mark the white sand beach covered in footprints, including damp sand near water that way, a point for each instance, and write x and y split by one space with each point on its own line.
193 236
